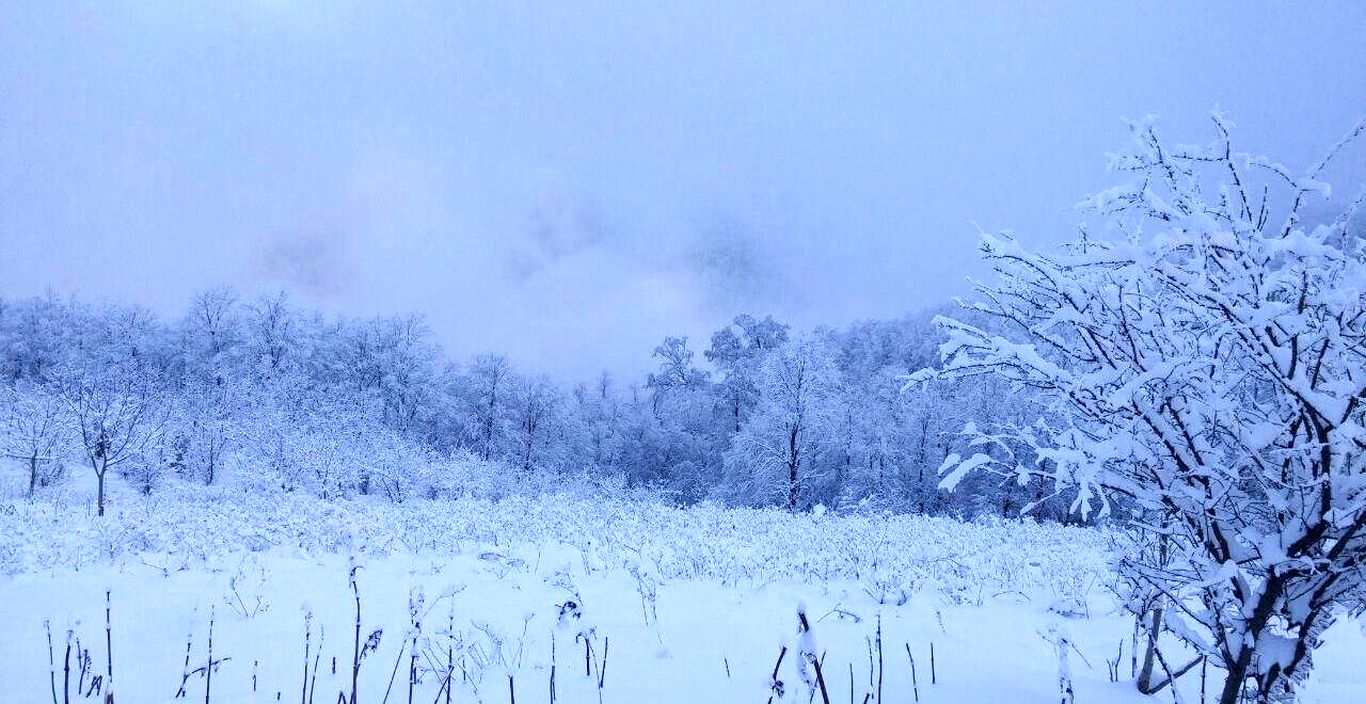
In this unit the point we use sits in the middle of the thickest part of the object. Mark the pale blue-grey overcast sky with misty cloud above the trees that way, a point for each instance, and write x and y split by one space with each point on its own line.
570 182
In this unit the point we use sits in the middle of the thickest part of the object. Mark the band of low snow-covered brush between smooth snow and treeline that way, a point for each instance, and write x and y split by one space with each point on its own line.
964 561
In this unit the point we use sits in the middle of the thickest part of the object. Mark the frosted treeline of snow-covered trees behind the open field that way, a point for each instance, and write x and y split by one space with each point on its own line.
270 397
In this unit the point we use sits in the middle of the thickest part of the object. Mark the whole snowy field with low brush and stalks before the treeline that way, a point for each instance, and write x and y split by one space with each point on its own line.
654 604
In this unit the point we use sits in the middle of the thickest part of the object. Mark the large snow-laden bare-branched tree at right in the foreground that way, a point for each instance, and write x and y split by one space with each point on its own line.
1204 360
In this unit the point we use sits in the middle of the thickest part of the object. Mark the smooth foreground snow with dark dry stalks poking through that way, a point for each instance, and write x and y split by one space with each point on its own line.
707 627
